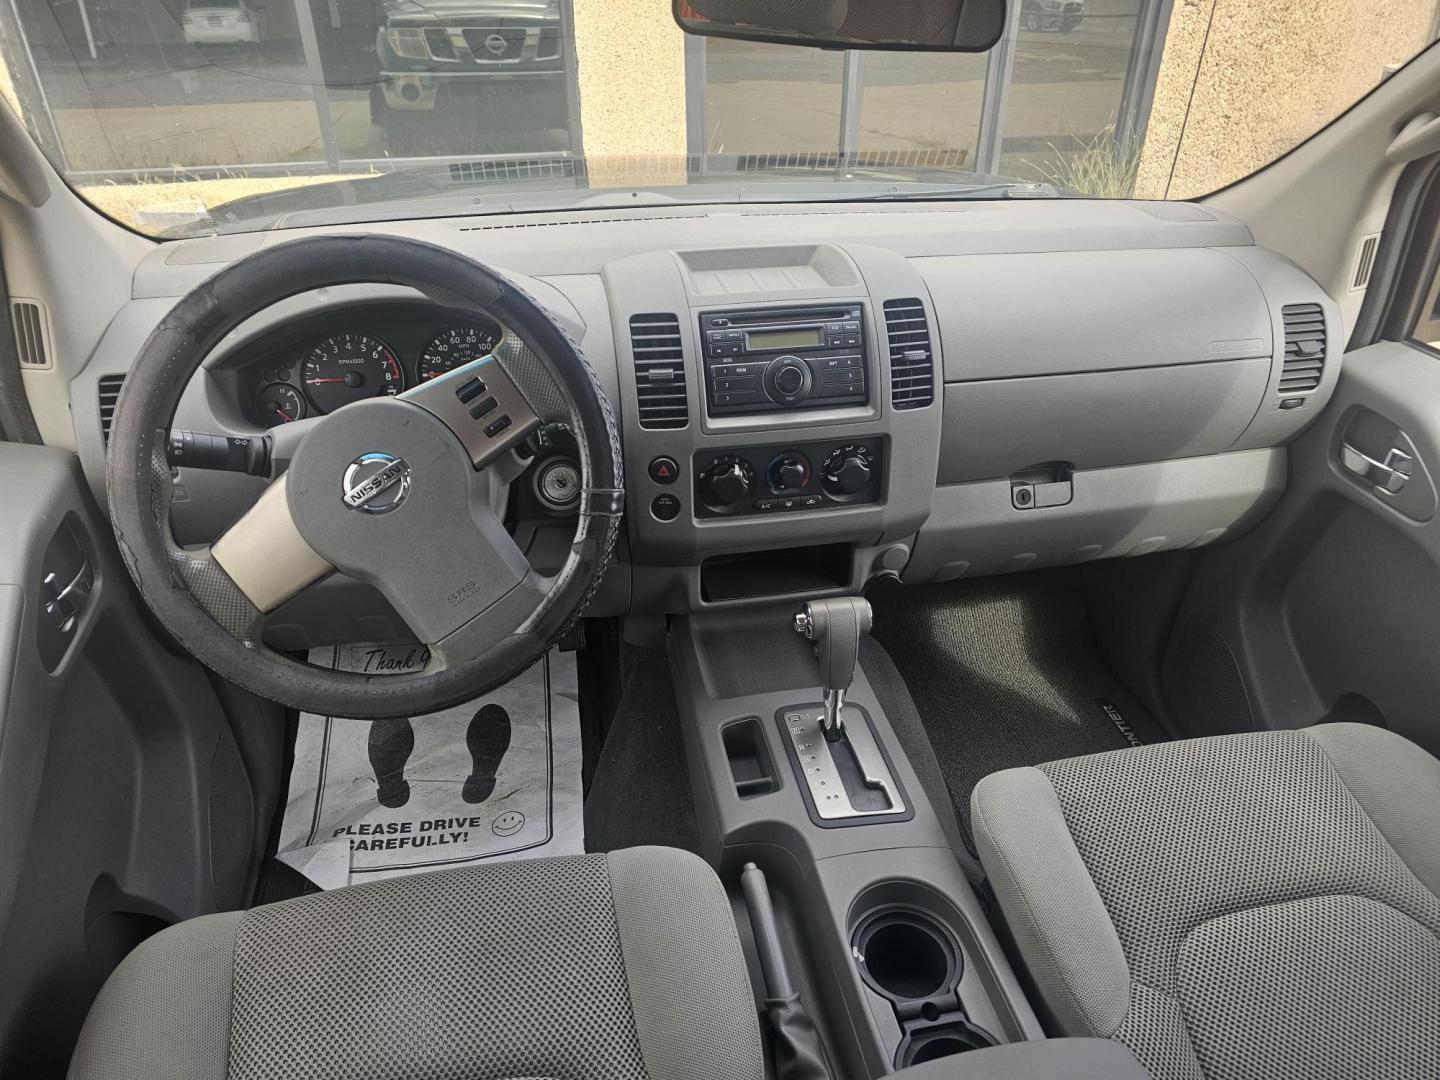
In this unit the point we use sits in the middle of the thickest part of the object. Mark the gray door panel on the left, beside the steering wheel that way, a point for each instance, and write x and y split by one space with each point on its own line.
125 800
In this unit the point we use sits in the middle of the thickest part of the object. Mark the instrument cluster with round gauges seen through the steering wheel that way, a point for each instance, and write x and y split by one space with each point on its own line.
330 371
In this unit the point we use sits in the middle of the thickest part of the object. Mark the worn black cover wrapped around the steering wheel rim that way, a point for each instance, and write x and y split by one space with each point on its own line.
175 351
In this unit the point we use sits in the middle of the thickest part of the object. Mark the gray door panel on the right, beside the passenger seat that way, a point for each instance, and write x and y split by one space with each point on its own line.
1331 608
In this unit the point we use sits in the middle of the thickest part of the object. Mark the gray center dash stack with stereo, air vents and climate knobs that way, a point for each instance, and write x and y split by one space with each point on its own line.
775 400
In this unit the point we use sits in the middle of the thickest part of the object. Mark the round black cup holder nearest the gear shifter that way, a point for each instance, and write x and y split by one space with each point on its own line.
906 955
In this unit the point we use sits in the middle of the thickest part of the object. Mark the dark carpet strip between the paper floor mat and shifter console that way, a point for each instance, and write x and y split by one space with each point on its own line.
640 793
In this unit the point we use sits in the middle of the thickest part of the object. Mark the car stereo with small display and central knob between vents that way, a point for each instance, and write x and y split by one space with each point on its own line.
761 359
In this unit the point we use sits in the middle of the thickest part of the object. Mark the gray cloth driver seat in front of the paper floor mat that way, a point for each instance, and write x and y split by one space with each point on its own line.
607 966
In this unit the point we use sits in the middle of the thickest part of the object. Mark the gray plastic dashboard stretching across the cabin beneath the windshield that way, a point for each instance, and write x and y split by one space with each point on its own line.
1110 379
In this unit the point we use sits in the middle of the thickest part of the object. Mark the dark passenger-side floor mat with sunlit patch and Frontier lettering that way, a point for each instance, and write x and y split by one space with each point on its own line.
1004 673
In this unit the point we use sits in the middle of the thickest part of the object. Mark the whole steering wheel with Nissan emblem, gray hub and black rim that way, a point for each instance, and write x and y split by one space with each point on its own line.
402 493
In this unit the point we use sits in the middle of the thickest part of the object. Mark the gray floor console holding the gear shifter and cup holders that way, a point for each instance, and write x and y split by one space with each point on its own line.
803 748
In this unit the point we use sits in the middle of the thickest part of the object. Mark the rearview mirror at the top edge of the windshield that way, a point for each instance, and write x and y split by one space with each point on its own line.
934 25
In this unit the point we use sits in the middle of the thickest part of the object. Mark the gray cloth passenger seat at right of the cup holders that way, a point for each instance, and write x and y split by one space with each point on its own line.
1255 905
